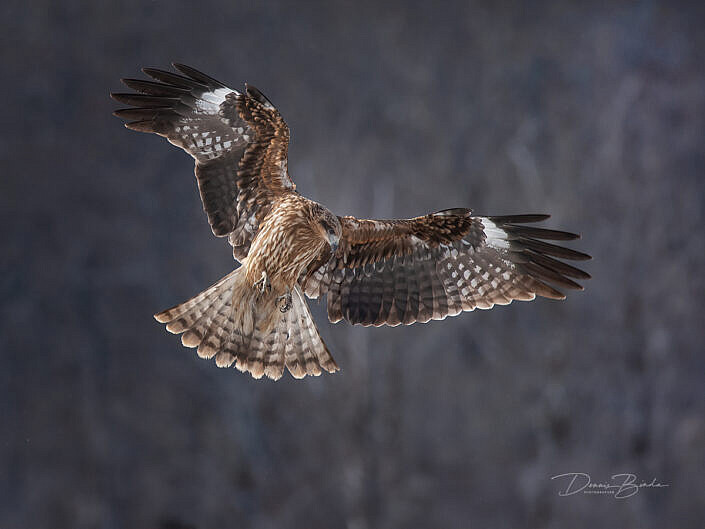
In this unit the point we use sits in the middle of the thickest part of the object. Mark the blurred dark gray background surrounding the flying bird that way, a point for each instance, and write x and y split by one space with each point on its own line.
593 114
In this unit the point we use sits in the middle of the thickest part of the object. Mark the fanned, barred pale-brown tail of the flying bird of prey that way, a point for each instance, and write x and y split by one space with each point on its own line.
231 322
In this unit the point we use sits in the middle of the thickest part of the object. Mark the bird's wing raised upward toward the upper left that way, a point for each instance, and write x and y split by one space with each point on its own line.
238 140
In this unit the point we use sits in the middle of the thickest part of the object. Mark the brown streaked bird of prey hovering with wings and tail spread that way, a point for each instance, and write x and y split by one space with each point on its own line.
373 272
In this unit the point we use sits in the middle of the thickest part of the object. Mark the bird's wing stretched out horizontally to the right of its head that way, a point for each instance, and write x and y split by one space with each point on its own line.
405 271
